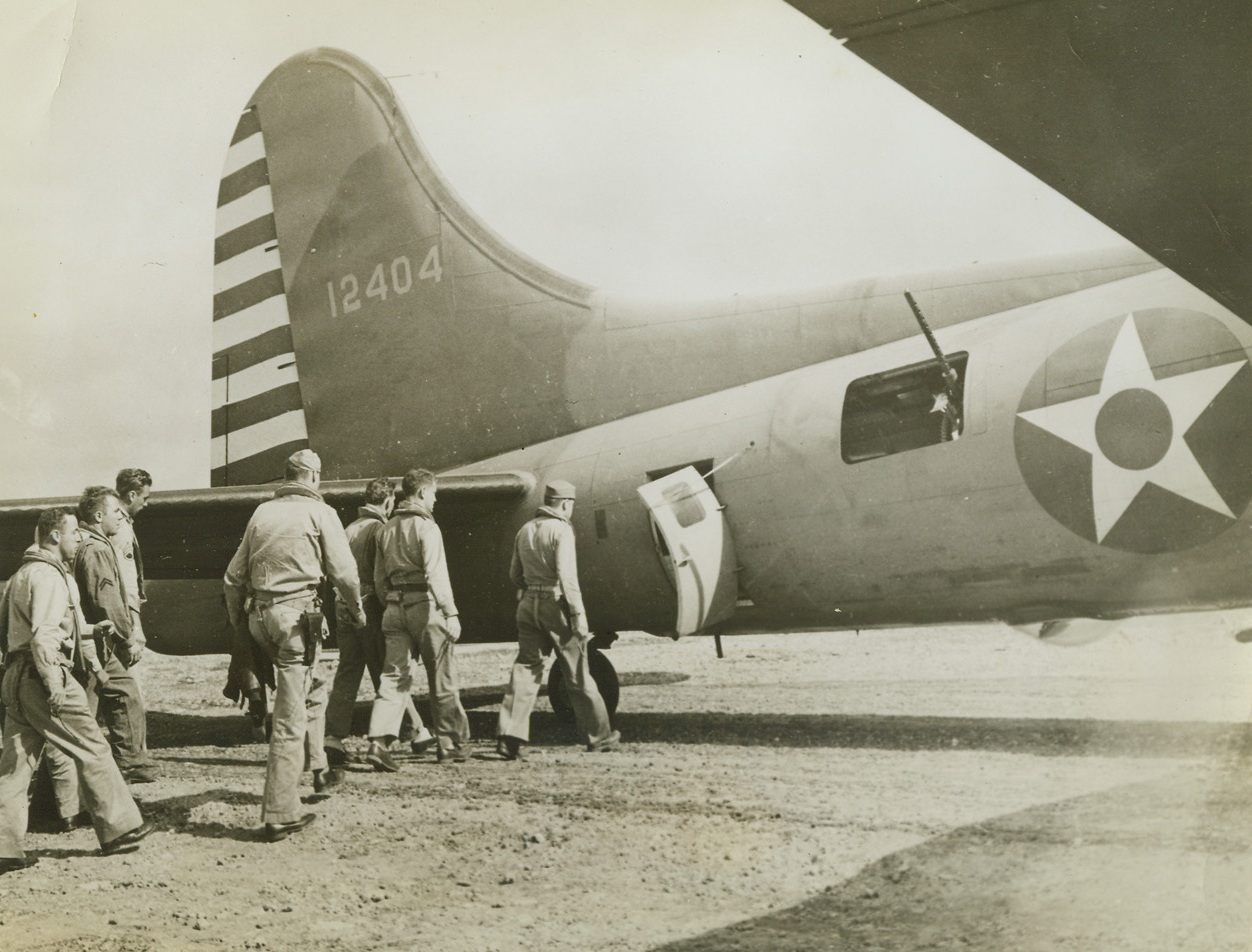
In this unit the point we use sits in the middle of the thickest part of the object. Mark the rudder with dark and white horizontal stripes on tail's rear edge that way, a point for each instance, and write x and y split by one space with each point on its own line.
259 416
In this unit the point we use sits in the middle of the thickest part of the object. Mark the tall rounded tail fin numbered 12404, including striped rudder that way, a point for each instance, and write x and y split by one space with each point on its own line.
419 334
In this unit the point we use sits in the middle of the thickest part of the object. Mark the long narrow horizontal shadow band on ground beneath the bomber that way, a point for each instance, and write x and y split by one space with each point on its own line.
1020 736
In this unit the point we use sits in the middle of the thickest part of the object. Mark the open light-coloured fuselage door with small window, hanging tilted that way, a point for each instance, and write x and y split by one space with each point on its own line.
694 529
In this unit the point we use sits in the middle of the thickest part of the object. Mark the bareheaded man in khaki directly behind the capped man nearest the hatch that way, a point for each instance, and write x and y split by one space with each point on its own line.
411 577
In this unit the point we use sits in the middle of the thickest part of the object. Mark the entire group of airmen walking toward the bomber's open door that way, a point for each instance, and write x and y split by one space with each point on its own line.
71 628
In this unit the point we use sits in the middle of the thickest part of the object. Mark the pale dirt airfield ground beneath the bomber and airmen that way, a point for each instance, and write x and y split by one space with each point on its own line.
958 789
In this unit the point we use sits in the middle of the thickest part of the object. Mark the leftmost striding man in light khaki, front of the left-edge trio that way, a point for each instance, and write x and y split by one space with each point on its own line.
42 628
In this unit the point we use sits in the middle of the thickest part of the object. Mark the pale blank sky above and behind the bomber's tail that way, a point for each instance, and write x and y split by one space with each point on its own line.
653 148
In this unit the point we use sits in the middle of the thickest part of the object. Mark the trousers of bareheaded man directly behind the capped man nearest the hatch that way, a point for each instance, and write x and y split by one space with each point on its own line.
418 627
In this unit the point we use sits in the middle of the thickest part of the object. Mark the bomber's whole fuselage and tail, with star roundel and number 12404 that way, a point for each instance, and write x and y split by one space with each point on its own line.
364 310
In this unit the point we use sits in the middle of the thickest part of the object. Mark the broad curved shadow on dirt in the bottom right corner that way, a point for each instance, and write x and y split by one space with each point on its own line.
1105 861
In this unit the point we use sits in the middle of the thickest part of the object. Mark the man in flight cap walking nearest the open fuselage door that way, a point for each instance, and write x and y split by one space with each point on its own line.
550 616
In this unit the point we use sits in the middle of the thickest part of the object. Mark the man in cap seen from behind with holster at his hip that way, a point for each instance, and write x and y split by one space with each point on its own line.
292 543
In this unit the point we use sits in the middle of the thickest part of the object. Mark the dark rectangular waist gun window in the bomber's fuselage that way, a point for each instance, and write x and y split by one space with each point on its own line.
903 409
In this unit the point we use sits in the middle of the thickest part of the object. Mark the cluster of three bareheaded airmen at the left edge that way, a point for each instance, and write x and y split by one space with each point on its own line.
72 633
